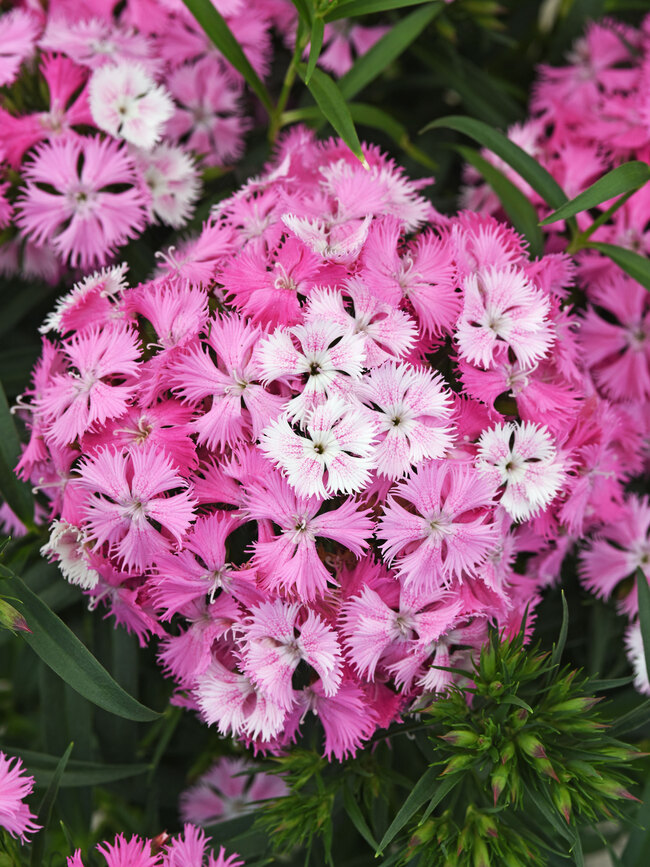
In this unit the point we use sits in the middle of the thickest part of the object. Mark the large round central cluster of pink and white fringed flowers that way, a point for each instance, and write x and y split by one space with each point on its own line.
307 453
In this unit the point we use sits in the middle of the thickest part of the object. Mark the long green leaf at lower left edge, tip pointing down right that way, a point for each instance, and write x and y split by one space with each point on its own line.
61 650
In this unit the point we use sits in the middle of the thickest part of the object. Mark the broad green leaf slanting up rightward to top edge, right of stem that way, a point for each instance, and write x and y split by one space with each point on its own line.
371 64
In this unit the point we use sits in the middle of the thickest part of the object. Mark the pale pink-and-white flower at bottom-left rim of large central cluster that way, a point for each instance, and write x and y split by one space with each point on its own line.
232 702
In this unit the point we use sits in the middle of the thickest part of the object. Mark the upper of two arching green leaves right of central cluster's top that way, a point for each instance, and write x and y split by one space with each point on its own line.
529 169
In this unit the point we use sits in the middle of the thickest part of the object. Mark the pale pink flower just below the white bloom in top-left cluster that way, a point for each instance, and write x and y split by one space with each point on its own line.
173 182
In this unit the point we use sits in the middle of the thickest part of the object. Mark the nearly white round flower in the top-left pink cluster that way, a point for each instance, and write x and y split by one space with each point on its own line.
126 102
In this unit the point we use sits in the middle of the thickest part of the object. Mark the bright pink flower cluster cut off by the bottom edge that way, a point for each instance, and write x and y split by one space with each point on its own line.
189 849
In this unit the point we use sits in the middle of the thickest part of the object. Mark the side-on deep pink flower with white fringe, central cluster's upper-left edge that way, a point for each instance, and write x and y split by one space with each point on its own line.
91 301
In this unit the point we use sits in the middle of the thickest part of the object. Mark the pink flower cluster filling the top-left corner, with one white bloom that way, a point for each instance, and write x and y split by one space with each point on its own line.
104 112
